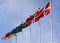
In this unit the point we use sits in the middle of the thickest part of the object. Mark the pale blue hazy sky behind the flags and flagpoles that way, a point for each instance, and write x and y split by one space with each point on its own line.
13 12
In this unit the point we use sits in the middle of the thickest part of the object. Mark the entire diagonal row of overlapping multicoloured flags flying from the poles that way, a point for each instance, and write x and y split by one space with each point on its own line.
33 18
